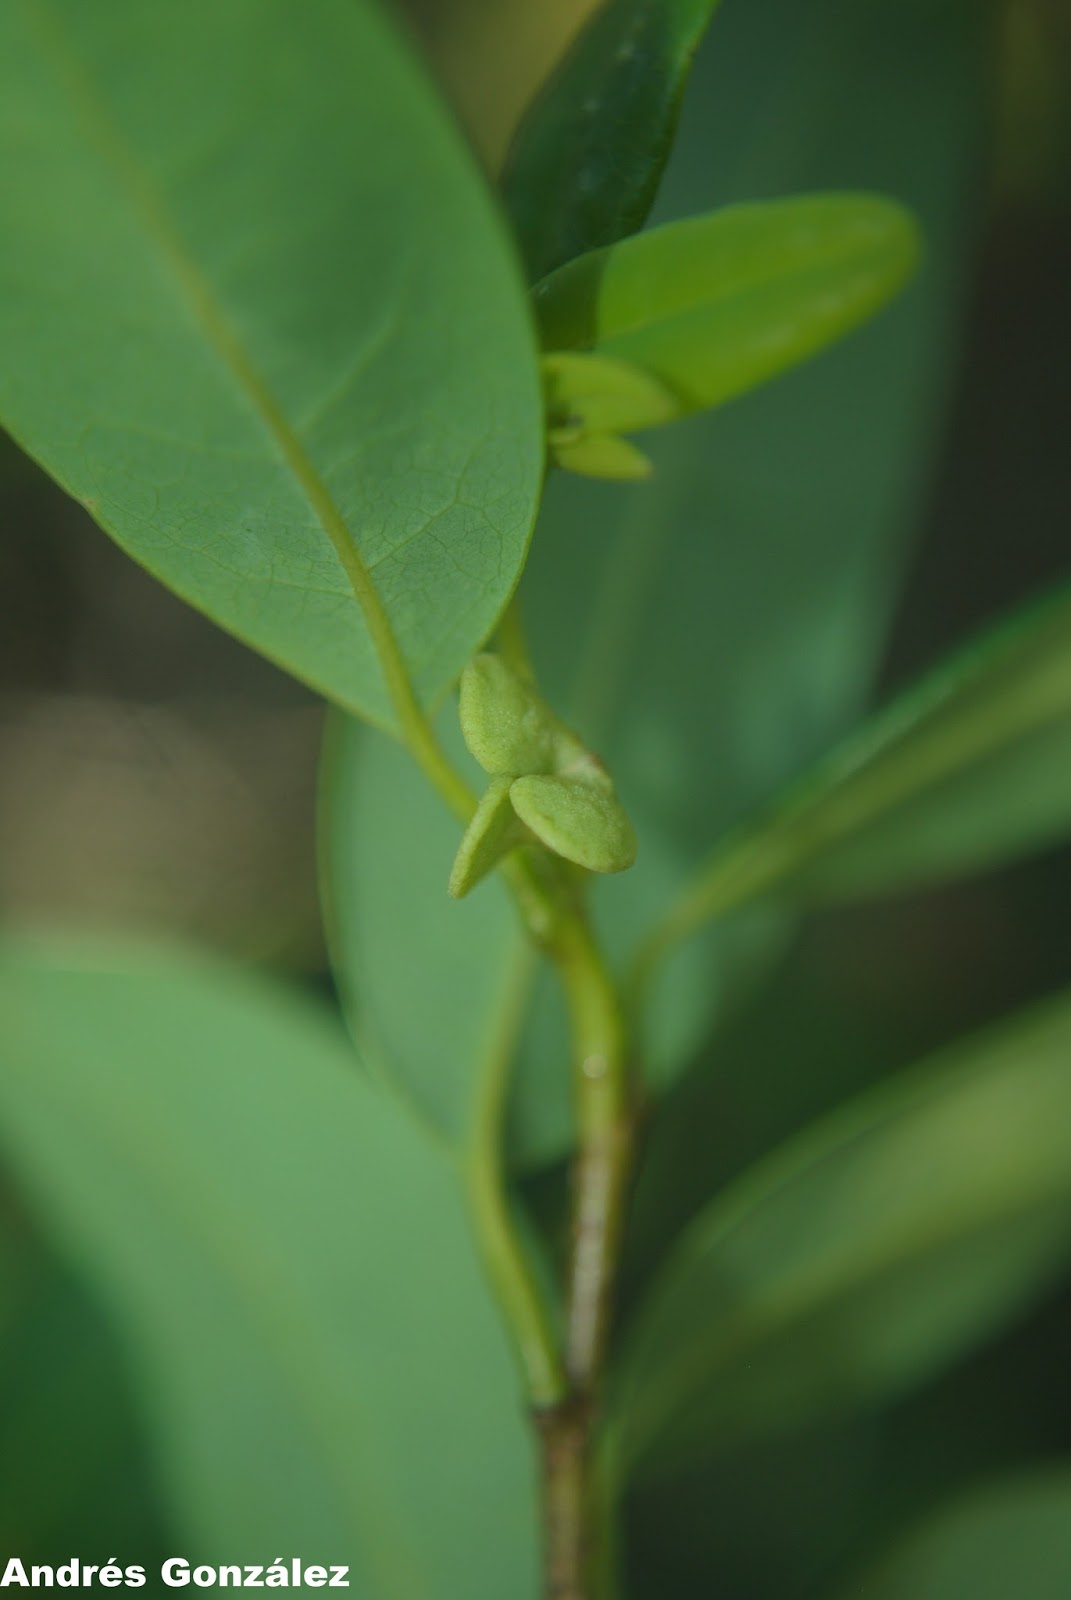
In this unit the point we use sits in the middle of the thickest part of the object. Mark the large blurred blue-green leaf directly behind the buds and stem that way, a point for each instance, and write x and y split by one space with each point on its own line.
710 634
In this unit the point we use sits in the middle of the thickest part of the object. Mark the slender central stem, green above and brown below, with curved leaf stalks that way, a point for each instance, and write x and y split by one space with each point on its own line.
564 1396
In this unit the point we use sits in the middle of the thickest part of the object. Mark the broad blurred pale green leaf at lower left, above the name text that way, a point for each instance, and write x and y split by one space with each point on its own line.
287 1262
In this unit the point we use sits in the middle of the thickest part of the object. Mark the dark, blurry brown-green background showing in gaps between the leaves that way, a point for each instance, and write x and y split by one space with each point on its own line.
156 775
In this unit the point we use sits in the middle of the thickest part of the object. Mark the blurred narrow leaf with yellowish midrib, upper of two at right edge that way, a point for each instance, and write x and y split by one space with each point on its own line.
969 769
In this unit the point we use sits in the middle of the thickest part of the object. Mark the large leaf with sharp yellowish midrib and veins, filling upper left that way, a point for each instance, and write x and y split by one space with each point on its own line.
260 318
